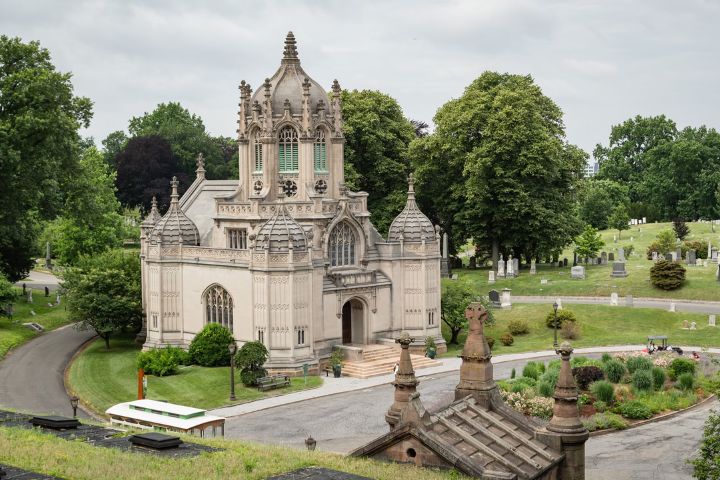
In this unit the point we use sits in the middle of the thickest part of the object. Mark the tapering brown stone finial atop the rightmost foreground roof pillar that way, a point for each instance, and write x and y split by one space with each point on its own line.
566 418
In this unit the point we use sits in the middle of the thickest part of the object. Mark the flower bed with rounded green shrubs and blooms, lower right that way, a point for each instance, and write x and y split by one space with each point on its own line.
632 387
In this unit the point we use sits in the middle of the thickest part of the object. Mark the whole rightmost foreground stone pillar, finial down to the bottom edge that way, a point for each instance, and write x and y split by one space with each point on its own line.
565 423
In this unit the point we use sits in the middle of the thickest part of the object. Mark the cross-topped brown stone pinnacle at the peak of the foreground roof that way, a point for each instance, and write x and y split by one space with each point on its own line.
476 371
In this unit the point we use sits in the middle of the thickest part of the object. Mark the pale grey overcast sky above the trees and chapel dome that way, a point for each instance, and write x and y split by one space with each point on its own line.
600 61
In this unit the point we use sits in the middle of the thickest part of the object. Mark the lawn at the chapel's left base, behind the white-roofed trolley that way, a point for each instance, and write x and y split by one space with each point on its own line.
103 378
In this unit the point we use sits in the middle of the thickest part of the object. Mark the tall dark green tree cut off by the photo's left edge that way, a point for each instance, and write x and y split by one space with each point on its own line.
39 122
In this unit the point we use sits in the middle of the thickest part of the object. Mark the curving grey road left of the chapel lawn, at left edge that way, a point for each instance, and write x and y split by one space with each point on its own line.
31 376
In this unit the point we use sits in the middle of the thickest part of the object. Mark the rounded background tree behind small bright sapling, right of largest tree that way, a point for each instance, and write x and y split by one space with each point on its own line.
598 199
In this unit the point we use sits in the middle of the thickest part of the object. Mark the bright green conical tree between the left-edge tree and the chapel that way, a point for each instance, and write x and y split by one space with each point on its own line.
91 221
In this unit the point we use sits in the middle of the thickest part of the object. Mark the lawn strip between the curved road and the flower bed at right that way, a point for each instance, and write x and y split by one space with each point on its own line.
601 326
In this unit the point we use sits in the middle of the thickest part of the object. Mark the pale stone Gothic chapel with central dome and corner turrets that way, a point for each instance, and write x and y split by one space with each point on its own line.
287 255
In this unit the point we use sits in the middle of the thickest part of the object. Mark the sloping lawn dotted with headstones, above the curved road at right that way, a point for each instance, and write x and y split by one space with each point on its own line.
700 281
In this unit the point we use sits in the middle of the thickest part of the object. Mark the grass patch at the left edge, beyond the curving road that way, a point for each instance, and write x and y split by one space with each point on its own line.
13 333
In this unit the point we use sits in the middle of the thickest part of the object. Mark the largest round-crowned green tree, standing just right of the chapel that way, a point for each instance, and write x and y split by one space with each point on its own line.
503 173
